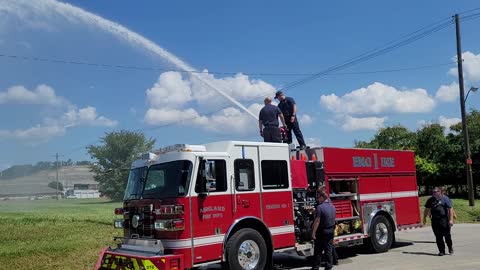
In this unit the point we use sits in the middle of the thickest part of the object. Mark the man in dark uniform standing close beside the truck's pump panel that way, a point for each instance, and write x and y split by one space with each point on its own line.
323 231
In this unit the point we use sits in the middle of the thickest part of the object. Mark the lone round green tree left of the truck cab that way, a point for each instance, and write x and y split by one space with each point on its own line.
114 156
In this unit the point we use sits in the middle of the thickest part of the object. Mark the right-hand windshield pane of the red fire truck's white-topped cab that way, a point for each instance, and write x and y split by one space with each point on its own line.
169 179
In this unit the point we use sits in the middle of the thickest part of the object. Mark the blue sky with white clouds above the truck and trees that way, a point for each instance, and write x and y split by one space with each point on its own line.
74 92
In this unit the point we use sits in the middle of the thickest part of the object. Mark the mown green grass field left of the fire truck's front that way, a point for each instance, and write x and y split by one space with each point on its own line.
50 234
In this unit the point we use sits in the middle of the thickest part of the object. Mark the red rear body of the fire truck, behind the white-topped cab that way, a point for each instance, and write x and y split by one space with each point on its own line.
374 192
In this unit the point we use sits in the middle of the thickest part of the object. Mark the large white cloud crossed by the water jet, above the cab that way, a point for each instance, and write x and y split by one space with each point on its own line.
174 98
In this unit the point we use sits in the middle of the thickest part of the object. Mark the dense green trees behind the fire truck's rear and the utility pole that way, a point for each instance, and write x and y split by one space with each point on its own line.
439 152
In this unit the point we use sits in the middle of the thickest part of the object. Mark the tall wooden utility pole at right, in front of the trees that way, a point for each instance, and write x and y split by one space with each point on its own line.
468 159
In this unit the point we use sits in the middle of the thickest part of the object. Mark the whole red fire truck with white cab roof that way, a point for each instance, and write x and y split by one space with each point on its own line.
236 203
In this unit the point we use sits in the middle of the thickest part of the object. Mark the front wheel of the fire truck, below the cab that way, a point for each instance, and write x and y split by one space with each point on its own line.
246 250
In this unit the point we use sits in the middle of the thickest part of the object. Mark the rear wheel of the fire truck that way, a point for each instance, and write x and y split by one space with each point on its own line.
381 234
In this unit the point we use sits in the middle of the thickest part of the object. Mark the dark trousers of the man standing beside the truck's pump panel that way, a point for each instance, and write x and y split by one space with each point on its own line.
323 244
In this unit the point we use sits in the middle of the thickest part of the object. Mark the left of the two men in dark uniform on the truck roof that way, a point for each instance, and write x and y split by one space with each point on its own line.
268 122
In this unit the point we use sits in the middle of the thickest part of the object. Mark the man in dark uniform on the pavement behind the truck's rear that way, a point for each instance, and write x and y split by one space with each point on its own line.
439 208
